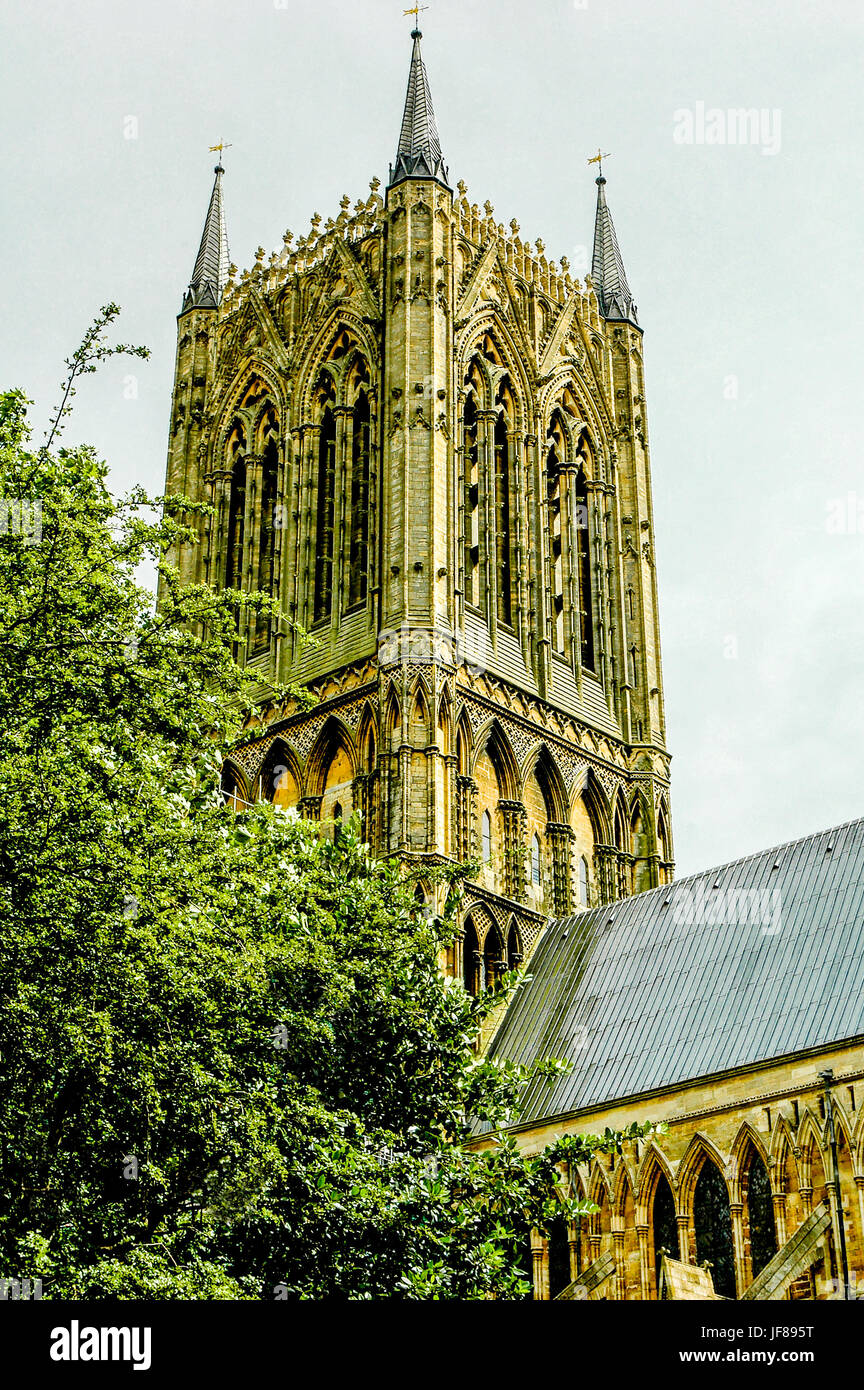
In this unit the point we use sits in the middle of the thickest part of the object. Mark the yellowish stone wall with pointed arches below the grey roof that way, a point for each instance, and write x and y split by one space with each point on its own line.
776 1114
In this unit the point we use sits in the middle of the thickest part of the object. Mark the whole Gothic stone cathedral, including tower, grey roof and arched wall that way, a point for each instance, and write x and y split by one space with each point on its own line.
427 443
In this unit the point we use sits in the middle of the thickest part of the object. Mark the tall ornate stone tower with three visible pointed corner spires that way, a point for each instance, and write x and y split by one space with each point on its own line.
429 444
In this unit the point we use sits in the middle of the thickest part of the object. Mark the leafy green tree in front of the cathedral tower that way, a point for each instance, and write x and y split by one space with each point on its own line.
230 1065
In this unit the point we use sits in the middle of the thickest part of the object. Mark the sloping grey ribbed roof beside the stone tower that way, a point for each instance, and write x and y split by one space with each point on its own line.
734 967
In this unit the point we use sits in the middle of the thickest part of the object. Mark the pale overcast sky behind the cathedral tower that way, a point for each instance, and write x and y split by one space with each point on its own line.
745 261
